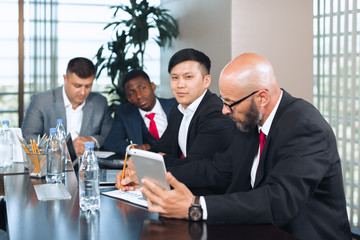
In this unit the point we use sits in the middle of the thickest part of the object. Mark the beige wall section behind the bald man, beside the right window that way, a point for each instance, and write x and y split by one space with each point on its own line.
281 31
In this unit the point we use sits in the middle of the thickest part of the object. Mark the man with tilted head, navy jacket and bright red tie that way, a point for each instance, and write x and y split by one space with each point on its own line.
132 122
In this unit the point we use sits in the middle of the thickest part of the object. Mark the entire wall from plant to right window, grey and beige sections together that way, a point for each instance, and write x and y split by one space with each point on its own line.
280 30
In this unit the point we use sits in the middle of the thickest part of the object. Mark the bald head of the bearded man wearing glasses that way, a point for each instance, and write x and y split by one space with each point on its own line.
250 73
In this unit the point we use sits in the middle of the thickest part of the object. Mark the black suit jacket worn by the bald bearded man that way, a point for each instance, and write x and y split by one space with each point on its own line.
298 184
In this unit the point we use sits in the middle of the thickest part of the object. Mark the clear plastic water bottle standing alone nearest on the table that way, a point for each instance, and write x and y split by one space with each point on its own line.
89 177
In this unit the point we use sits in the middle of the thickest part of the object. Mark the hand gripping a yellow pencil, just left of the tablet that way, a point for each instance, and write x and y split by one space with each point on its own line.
130 181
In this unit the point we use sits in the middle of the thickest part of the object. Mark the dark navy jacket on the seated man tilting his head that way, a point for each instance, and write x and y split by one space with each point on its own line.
128 126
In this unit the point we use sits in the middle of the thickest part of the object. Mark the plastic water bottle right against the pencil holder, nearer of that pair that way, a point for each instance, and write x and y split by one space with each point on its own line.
54 164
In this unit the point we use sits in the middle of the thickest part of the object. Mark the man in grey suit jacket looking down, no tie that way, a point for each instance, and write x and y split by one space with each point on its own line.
85 114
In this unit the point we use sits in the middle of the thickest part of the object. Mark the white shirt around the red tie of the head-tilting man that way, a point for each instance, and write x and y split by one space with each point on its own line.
159 118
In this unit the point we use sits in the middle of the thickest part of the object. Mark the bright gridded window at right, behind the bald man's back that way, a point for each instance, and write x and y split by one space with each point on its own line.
336 86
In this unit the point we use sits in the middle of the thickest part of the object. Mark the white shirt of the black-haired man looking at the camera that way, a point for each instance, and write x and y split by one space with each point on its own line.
185 122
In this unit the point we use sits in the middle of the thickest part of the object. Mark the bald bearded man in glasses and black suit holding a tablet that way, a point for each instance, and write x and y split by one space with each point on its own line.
290 177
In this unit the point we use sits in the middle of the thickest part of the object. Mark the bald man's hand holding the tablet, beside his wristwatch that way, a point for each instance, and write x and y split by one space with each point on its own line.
172 204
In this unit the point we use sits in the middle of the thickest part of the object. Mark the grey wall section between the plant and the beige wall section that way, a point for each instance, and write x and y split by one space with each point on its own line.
205 26
